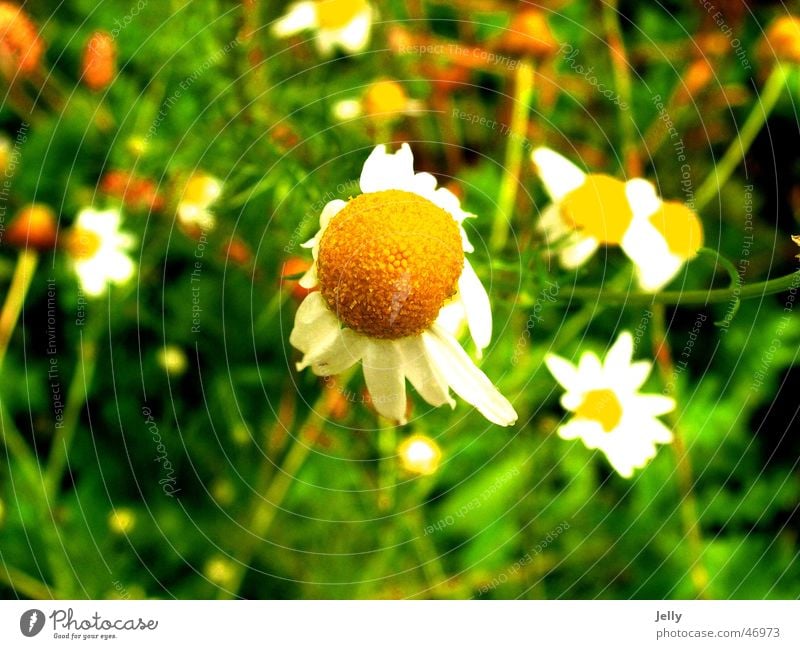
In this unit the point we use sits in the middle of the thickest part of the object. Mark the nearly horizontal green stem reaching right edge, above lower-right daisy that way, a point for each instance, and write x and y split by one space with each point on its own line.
686 298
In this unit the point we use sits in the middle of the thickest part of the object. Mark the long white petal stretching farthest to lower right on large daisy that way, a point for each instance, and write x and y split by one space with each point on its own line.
466 380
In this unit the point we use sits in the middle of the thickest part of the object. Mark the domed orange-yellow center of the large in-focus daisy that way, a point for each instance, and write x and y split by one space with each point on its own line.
388 262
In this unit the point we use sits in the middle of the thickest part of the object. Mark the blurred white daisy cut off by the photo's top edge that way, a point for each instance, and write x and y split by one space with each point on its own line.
346 23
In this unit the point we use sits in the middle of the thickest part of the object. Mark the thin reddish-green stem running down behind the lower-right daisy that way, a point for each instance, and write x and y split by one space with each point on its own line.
688 503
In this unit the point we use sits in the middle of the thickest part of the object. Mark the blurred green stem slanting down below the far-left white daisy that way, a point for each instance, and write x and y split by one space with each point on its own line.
76 399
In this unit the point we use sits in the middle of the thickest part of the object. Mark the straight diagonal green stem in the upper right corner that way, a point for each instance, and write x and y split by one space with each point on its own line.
738 149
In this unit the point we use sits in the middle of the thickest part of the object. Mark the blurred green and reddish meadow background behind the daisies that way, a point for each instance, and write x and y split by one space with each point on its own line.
270 500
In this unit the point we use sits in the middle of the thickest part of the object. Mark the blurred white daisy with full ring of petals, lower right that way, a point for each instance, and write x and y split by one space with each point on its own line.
609 412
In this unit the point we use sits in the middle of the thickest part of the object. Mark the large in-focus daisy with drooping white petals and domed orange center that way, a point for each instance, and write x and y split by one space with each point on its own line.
394 287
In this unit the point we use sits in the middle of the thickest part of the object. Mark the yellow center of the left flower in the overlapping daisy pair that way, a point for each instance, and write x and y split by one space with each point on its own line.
599 208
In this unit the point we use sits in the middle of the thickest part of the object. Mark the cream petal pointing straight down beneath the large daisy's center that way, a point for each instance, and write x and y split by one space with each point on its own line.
383 373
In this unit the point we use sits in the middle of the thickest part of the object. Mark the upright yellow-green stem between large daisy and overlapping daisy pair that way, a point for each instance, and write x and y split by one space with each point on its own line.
517 143
